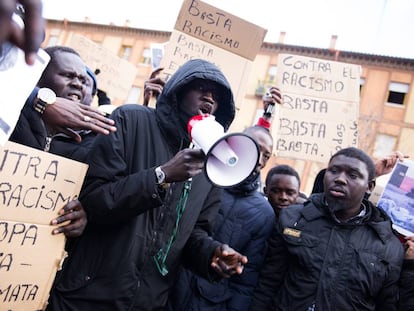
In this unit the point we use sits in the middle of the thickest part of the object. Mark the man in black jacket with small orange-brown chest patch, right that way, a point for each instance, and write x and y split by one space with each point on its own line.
335 252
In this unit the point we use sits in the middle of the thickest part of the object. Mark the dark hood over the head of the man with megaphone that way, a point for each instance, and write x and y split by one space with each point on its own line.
167 103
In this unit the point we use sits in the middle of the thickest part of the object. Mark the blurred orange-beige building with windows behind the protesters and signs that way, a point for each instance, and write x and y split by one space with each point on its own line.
386 120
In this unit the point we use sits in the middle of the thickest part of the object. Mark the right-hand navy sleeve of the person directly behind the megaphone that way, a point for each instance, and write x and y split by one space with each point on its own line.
242 286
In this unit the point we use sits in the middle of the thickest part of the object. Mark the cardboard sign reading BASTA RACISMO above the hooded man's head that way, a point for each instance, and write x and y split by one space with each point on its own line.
203 31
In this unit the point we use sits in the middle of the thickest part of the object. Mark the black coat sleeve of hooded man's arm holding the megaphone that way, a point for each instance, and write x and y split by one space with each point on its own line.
114 190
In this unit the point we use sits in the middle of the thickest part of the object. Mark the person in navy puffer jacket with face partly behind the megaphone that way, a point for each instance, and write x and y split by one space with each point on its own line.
245 222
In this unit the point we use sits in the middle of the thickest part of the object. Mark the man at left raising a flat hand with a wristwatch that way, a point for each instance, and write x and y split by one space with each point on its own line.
68 125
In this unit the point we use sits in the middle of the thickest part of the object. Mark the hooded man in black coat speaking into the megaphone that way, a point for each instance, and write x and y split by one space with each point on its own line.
149 208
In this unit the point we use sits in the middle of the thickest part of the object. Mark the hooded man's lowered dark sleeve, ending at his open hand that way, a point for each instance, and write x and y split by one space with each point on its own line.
200 247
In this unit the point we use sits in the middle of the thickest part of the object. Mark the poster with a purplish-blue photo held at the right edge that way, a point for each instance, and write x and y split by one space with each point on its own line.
397 198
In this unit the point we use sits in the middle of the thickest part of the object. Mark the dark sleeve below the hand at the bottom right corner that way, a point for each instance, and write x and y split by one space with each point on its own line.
406 299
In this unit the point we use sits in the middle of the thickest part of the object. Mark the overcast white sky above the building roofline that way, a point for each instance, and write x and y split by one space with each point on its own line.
380 27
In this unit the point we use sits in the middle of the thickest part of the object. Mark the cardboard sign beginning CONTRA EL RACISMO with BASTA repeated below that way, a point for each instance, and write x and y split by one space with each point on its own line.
320 109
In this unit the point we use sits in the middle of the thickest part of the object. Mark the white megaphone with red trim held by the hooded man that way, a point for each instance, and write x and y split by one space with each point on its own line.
230 158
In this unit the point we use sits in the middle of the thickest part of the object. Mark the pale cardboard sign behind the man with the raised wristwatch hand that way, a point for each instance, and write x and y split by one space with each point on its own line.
117 75
